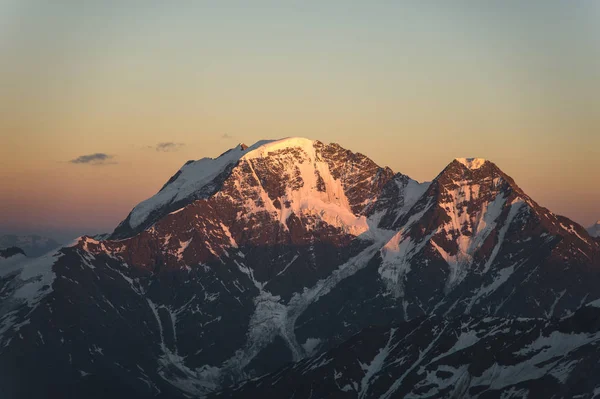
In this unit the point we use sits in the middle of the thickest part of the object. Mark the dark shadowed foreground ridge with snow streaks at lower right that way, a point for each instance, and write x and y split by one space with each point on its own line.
458 357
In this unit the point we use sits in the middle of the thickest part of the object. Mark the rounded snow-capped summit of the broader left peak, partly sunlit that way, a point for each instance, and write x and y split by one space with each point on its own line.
285 176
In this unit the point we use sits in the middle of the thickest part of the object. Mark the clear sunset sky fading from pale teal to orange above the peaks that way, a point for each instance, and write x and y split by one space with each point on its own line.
410 84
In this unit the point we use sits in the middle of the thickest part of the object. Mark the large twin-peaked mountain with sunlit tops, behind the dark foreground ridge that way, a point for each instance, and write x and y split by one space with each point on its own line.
274 252
